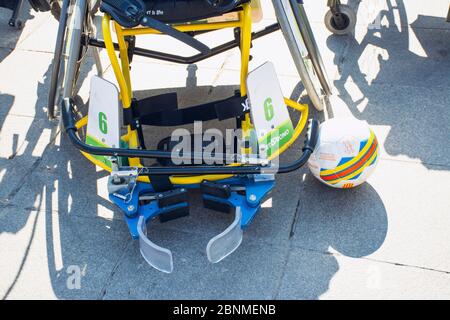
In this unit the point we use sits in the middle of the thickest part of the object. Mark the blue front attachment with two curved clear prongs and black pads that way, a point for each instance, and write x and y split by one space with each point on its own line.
241 195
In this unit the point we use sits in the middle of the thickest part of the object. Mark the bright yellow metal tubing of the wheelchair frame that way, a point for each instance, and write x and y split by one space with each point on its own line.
122 74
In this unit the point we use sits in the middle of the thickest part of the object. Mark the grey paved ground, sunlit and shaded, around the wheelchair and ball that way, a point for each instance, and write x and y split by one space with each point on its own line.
389 238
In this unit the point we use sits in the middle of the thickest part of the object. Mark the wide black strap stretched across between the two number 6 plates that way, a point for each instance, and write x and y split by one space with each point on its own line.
224 109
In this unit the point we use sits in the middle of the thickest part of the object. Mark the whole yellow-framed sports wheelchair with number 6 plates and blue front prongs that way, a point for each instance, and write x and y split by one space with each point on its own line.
239 184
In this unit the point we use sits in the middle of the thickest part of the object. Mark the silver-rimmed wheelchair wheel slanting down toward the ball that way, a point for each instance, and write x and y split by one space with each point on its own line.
300 39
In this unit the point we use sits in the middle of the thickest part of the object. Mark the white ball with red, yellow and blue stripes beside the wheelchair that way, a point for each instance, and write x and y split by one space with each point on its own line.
346 153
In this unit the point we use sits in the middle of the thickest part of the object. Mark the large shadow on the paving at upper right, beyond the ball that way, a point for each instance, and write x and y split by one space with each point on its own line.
396 77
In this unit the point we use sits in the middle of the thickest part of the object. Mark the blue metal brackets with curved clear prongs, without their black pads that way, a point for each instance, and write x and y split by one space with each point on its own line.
247 194
